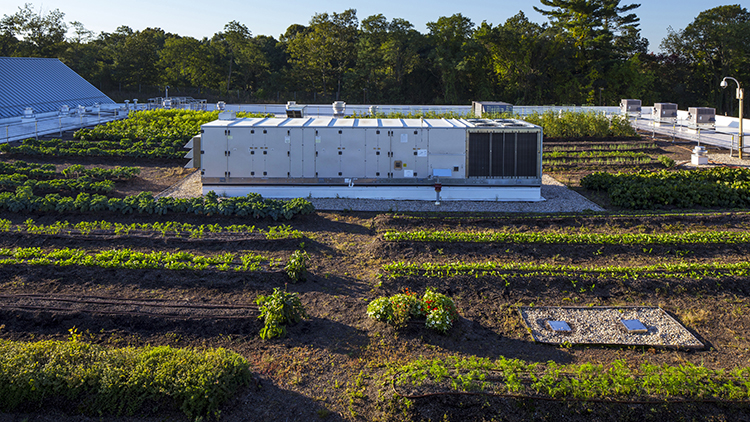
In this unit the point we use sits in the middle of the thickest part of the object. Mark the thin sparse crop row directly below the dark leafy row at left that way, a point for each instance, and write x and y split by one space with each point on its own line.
174 228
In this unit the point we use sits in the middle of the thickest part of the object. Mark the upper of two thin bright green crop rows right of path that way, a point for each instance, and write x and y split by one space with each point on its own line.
707 237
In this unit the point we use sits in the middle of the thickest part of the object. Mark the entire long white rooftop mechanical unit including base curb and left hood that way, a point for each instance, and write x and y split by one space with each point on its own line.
474 159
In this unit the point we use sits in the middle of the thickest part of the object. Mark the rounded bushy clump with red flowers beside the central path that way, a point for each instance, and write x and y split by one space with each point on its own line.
439 310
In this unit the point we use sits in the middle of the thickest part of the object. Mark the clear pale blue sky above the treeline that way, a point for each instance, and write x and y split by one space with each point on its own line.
202 18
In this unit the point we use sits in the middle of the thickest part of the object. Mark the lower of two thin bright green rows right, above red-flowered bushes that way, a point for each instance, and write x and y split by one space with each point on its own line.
506 270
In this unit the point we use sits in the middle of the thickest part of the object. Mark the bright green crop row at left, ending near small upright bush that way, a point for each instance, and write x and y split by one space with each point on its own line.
127 258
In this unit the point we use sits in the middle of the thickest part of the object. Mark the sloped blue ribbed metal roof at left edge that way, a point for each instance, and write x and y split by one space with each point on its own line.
44 85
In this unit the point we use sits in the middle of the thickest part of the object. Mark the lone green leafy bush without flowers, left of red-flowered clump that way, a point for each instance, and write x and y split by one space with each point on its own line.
277 310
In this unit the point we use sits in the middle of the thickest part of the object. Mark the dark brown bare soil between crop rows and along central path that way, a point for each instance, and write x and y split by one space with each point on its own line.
319 370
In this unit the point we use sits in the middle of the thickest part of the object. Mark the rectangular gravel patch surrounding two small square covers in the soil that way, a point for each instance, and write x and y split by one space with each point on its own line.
601 325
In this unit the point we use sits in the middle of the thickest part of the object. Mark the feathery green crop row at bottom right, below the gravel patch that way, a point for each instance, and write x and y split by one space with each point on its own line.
617 381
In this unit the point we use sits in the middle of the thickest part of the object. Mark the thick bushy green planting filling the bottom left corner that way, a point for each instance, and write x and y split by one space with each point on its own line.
100 381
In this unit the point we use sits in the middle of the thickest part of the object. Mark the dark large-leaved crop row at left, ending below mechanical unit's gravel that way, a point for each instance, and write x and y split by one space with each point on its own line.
253 205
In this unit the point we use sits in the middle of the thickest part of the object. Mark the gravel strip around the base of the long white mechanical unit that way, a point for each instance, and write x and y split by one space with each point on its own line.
558 198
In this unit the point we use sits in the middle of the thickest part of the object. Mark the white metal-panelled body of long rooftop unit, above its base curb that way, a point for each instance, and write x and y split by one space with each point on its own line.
375 151
